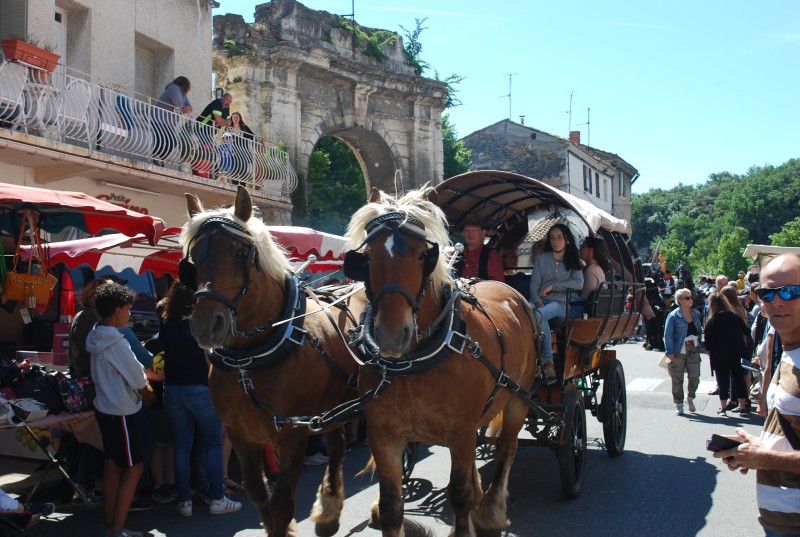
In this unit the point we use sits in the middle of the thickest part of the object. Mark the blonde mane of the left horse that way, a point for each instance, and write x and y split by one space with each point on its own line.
272 258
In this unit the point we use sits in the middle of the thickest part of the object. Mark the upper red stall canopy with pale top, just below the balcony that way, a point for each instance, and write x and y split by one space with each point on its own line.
57 209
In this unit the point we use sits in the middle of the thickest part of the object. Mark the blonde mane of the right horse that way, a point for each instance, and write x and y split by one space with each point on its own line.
413 204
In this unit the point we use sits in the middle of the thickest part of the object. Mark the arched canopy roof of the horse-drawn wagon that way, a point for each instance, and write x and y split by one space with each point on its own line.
505 199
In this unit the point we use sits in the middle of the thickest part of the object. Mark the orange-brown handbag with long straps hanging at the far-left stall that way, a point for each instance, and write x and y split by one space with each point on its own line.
31 289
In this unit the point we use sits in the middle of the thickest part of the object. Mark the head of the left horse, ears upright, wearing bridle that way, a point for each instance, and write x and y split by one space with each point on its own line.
235 267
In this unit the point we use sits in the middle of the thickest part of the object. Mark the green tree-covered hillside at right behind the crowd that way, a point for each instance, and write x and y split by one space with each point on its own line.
709 225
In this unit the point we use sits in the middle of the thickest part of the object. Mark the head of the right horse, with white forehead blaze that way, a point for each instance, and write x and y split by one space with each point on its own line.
400 260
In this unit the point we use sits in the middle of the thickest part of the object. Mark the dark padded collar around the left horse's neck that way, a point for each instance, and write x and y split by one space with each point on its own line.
280 344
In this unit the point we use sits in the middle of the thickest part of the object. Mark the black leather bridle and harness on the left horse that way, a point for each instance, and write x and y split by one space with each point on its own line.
283 341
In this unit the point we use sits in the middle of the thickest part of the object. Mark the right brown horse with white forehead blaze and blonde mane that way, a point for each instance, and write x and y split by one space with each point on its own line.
432 342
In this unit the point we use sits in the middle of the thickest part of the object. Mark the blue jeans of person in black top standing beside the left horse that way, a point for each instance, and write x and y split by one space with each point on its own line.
189 407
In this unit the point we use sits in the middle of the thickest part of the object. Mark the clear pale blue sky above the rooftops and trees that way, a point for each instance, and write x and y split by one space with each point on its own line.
679 89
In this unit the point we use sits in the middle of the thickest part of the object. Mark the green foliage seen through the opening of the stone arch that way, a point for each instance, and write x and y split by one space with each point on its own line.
336 186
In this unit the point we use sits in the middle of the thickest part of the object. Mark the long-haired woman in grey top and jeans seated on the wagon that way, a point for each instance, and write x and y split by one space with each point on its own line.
556 272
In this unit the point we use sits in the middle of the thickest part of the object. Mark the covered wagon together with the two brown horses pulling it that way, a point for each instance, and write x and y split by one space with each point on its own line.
437 358
